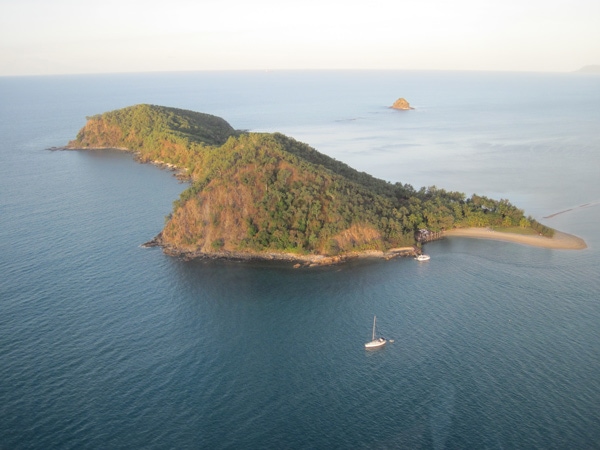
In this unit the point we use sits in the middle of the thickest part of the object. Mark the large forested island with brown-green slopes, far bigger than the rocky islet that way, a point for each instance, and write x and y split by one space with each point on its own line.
267 196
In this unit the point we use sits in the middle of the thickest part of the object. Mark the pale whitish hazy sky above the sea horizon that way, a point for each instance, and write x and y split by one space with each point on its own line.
44 37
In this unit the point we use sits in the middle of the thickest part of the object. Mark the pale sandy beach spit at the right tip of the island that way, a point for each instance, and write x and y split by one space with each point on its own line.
560 241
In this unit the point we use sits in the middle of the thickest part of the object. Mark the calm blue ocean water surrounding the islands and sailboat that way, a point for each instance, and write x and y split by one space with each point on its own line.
104 344
